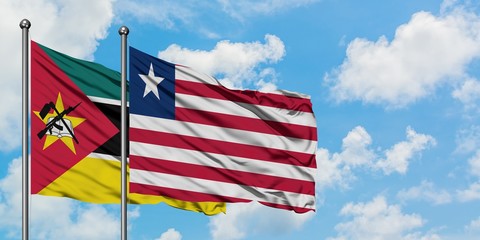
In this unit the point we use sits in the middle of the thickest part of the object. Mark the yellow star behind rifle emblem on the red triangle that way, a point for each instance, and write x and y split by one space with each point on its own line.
50 139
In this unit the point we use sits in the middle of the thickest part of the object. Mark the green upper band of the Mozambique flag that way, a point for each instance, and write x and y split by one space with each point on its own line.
92 78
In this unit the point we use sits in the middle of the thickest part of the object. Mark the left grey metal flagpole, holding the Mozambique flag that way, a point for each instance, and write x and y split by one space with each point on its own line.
25 26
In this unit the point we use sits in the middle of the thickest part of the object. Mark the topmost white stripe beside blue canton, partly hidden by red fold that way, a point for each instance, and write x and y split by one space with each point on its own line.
188 74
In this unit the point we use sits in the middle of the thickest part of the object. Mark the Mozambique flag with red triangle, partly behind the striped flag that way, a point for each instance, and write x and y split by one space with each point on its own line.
75 136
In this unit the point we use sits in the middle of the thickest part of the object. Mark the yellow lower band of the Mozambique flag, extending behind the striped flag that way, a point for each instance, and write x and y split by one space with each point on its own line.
97 180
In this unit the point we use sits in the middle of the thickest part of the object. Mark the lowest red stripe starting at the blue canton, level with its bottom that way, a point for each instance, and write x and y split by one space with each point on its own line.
246 123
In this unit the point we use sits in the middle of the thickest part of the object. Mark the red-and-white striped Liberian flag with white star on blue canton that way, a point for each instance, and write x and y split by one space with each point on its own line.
195 140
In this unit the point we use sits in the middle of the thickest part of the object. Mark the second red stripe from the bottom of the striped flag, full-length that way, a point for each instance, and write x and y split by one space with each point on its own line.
223 175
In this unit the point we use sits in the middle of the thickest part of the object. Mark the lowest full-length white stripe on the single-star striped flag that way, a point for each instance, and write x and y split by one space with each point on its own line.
222 188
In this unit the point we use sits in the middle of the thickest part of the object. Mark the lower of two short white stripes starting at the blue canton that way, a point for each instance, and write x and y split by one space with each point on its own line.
245 110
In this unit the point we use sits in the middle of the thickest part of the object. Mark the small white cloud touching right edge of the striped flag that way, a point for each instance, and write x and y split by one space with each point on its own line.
337 169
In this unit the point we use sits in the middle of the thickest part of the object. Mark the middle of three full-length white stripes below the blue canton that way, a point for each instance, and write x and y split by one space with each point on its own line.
221 161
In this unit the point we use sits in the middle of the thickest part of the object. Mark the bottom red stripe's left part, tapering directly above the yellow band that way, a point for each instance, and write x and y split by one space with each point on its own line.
183 195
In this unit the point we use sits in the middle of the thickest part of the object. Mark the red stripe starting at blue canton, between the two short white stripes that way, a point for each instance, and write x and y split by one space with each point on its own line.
244 96
